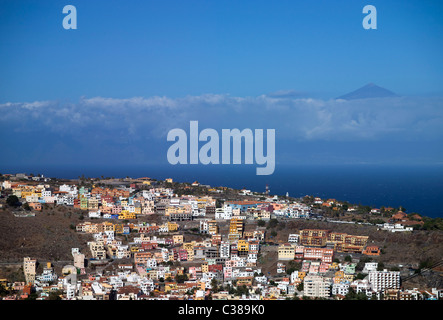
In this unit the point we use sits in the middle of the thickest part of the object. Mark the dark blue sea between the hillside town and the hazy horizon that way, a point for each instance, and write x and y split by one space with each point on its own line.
416 188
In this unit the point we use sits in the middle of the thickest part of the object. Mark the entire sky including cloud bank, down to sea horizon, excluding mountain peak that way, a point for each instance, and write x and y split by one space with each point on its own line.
135 69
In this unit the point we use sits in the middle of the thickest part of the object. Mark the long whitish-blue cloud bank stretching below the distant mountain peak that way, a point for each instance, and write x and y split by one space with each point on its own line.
294 118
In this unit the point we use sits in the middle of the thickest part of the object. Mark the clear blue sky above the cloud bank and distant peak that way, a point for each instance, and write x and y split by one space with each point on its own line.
123 49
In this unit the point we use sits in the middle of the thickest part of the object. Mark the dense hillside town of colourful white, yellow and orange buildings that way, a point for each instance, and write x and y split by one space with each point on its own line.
145 241
